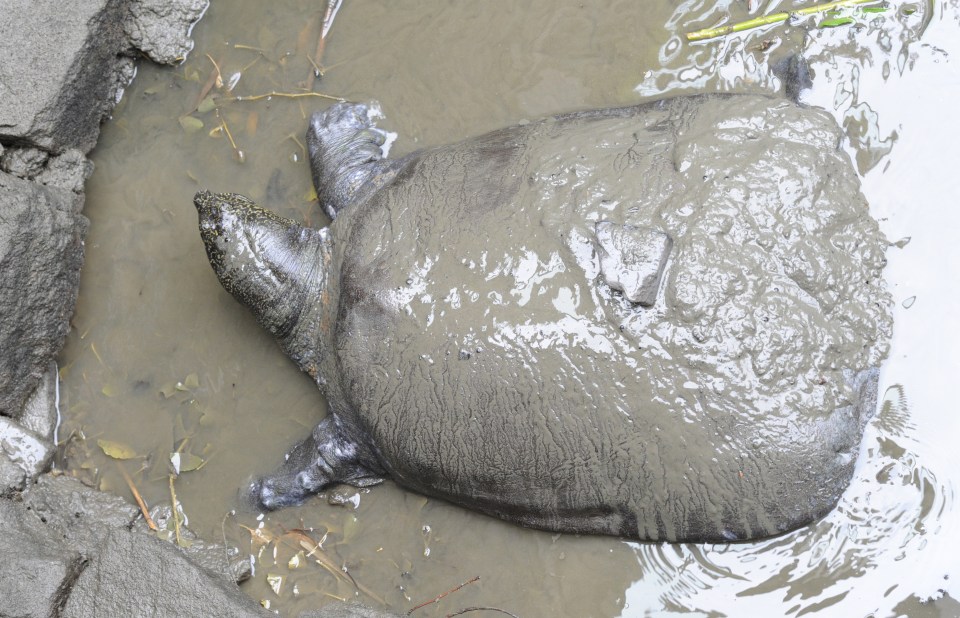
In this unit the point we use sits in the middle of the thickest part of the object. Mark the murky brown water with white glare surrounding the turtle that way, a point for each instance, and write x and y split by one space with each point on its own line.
161 359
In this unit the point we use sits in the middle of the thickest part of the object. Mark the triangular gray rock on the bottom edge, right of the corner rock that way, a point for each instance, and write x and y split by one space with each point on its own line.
133 574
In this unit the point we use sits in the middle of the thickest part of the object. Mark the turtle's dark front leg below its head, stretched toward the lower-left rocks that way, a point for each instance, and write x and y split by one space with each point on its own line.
325 458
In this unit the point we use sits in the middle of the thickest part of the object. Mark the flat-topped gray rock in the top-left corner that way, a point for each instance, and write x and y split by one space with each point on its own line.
63 71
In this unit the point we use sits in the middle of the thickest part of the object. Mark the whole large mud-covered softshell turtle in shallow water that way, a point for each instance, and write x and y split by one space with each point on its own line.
660 322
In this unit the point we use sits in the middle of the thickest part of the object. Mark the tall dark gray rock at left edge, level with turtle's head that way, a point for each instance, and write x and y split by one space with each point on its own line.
41 251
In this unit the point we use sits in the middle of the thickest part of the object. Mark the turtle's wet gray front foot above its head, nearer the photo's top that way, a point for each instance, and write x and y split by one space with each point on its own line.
345 156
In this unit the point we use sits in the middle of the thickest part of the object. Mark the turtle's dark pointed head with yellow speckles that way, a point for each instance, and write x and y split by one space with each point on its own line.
272 265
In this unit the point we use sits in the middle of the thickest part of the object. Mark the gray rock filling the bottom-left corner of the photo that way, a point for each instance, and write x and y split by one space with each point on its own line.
36 571
